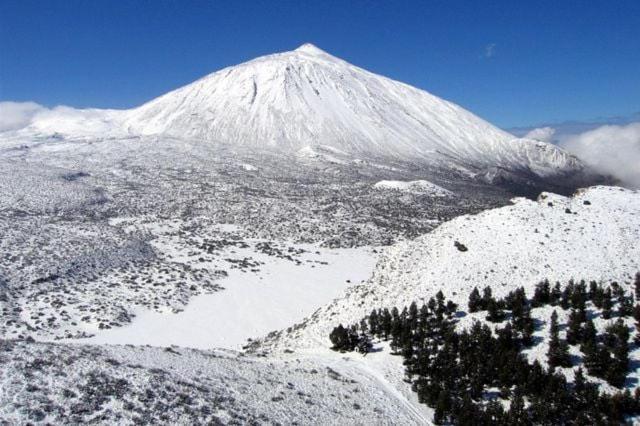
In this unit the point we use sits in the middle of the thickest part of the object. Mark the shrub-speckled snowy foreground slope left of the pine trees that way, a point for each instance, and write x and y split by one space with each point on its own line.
127 385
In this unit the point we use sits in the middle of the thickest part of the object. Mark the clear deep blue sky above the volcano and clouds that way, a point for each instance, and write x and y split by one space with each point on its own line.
511 62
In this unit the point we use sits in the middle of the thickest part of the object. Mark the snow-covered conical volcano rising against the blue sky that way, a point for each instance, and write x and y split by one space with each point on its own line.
307 98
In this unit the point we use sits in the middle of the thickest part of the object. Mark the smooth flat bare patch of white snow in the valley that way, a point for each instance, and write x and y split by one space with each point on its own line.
252 304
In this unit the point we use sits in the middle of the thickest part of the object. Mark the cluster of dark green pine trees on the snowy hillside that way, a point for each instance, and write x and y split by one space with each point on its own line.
463 374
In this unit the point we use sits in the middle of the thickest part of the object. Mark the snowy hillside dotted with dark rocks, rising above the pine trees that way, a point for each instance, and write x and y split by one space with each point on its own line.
591 236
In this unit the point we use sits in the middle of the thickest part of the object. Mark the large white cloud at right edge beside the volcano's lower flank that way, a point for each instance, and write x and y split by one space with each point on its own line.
610 149
